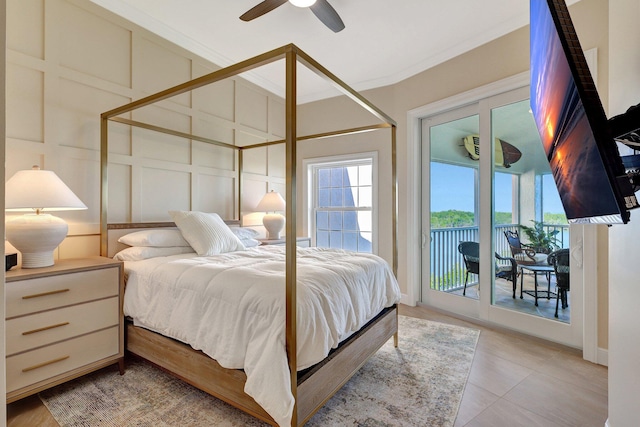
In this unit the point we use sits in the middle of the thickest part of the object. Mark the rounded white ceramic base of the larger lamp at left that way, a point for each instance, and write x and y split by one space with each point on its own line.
36 237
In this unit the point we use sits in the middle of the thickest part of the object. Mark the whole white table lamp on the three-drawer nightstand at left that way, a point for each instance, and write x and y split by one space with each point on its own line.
36 234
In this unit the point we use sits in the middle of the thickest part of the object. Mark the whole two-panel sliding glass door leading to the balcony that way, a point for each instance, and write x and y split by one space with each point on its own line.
484 175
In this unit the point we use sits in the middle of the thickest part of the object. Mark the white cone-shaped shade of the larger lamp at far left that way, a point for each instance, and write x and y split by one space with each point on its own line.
35 189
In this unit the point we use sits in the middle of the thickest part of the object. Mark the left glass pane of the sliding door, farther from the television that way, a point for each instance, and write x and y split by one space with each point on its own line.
453 207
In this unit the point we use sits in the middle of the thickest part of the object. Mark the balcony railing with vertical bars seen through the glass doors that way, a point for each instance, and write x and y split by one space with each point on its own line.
447 265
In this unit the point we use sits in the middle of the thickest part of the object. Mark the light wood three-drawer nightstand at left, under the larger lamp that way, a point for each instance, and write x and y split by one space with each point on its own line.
62 322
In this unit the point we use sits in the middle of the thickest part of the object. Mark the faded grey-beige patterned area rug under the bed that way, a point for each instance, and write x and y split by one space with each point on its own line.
420 383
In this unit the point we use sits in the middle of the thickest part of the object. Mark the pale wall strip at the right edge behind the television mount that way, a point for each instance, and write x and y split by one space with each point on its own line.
624 340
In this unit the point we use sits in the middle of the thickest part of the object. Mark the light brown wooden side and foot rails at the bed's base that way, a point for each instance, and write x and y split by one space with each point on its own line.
316 385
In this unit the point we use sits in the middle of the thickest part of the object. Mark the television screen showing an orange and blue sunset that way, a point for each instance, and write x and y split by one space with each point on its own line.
564 128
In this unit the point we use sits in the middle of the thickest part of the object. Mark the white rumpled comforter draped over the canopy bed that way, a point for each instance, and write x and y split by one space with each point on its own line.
232 307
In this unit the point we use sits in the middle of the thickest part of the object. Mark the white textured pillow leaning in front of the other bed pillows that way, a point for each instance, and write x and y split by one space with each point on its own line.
206 232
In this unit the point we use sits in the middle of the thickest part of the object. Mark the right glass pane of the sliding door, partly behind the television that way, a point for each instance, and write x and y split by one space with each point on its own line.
526 203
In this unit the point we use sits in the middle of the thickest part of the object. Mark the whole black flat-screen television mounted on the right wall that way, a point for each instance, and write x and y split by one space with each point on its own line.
584 158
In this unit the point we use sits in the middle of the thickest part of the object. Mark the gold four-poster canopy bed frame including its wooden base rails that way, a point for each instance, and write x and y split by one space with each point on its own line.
312 388
